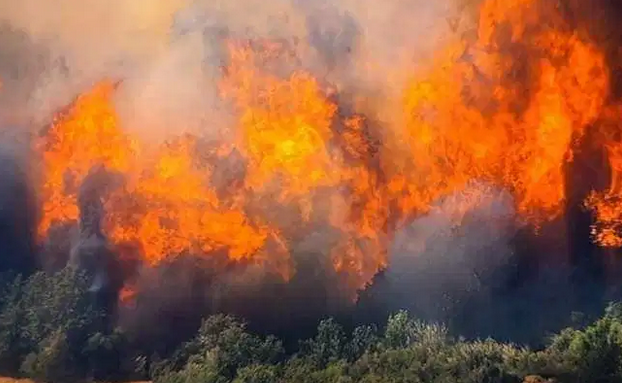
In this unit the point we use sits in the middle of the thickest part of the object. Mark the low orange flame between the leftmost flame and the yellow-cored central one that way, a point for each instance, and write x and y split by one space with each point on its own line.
179 212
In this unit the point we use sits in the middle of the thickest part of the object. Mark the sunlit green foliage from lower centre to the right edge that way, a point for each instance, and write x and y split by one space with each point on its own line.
411 351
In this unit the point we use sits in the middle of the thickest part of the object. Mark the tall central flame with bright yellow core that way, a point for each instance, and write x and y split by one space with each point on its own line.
287 132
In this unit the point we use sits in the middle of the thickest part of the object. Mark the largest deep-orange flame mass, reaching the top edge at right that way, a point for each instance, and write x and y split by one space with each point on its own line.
487 129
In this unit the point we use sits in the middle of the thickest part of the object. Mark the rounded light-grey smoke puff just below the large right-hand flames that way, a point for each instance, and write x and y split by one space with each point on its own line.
452 254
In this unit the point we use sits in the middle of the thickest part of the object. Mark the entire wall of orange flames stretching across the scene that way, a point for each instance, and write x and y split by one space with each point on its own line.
504 106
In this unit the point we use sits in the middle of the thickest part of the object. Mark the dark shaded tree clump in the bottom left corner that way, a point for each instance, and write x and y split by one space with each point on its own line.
51 330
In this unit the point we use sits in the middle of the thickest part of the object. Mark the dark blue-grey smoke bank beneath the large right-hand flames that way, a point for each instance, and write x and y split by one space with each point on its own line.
469 264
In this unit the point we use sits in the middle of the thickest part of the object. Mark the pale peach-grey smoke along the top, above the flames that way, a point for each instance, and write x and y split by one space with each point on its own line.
168 53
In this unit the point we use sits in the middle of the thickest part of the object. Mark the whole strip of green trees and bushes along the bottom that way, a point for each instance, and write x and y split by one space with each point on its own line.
52 330
